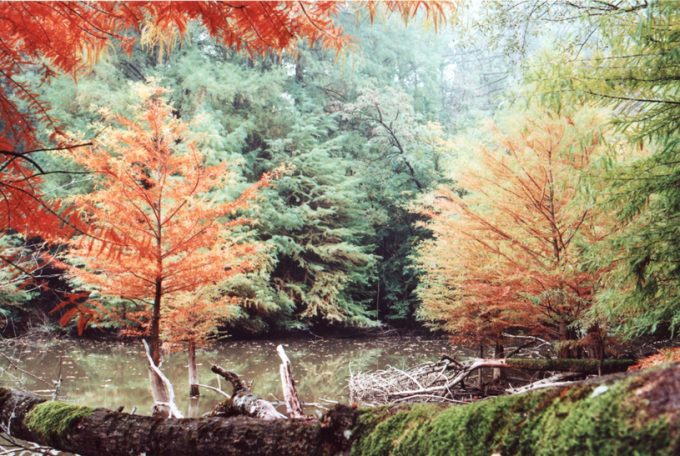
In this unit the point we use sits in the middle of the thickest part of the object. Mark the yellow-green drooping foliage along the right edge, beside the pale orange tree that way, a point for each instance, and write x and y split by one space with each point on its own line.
634 69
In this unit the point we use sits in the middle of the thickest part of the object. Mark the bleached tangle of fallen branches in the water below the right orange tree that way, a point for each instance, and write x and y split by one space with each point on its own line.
443 381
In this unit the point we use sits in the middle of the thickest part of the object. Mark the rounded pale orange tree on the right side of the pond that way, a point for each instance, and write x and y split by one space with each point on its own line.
508 254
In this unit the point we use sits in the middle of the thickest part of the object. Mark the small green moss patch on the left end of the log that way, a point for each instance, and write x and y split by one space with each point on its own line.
52 419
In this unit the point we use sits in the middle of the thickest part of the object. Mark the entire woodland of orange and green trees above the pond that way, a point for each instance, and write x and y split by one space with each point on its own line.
489 171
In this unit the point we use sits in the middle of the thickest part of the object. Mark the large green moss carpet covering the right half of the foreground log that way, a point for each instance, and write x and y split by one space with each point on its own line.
580 420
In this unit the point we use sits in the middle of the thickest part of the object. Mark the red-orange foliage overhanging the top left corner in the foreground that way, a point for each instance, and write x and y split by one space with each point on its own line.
65 36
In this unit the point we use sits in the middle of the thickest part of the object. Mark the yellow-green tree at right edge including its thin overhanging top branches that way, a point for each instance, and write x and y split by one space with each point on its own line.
621 55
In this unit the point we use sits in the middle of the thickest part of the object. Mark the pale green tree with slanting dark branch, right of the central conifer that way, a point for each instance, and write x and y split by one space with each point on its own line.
402 154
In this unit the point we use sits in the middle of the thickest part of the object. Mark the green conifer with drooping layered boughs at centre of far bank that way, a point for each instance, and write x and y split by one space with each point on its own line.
318 227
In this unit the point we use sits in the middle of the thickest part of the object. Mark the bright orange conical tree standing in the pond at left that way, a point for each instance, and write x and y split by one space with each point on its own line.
154 230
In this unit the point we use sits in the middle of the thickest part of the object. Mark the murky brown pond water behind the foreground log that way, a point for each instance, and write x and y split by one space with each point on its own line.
114 374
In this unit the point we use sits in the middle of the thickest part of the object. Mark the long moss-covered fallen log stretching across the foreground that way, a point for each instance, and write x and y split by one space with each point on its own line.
619 414
